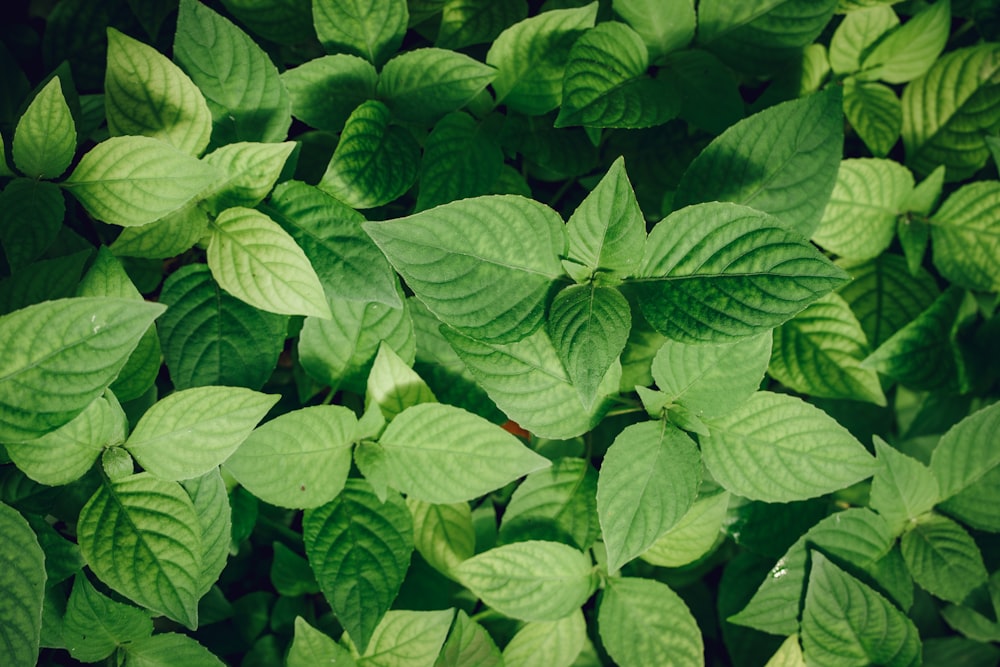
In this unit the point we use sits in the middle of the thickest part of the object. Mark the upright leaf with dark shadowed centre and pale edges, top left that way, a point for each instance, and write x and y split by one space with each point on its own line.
146 94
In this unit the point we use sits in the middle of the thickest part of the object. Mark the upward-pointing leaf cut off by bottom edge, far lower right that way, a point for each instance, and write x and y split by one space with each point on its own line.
846 622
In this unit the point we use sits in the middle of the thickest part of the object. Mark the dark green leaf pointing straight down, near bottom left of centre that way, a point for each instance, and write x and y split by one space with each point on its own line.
360 550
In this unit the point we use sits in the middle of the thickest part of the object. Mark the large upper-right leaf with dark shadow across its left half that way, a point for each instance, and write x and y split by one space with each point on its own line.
782 161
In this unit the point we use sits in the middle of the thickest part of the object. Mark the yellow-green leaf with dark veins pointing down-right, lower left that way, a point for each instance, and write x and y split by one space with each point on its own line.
142 537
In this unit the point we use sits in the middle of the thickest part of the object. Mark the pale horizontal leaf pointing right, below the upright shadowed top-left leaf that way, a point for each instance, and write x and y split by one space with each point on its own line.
133 181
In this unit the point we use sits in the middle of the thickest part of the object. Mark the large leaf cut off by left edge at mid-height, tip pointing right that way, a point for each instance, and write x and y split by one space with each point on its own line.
47 380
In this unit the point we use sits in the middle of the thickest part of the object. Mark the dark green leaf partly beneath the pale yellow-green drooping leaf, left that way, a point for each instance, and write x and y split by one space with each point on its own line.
212 338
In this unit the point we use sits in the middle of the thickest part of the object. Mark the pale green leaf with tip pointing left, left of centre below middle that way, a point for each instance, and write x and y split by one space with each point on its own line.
298 460
